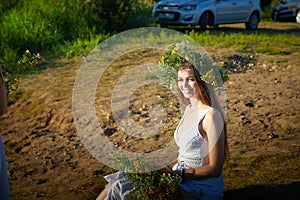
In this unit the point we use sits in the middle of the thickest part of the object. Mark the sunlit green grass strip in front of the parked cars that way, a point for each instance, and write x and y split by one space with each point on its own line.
267 41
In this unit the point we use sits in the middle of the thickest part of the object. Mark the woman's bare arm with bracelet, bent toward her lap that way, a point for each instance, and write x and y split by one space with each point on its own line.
213 124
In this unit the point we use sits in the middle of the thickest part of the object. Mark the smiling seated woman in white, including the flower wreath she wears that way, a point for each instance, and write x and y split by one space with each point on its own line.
201 132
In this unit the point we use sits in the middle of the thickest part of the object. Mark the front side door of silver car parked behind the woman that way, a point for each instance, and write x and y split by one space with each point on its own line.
226 11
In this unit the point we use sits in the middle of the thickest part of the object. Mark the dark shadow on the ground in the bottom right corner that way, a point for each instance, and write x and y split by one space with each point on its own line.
256 192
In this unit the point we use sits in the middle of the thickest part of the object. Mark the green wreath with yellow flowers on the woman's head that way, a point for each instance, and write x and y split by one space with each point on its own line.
176 55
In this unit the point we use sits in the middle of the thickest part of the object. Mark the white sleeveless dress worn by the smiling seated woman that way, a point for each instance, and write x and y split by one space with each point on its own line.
193 152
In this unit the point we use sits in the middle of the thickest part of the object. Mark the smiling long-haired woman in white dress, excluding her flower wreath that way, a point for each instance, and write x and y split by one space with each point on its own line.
201 138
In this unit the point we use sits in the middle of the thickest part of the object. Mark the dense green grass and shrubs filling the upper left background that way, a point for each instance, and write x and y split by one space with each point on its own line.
47 25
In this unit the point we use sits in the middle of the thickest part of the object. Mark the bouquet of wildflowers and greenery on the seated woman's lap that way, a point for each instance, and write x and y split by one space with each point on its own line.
147 184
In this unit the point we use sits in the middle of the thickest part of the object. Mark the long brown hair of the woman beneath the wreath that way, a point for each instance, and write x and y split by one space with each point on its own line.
206 97
